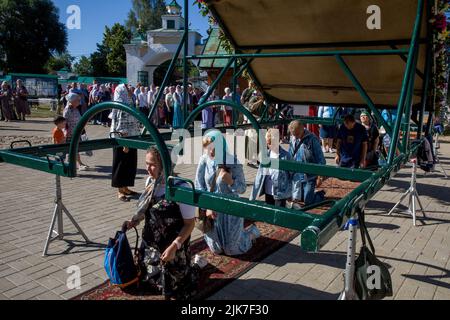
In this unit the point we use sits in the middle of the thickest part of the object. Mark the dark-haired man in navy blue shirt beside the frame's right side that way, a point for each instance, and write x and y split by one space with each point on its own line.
352 144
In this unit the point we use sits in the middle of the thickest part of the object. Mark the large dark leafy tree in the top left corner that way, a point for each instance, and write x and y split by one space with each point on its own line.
30 33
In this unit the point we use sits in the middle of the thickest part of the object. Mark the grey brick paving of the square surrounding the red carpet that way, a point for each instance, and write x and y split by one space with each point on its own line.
419 256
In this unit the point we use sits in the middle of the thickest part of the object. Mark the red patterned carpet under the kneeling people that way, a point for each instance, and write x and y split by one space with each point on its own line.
221 269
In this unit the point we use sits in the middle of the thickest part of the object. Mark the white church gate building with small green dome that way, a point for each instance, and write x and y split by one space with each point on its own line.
145 56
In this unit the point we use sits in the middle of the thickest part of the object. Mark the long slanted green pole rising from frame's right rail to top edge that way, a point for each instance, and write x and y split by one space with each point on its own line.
405 85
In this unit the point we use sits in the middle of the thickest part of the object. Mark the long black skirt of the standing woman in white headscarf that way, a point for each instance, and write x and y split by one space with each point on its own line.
124 168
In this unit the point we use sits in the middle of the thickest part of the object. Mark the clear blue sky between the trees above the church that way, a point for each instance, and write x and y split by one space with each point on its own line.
96 14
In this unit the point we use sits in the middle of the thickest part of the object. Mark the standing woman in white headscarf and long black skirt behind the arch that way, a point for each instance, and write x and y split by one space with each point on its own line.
124 159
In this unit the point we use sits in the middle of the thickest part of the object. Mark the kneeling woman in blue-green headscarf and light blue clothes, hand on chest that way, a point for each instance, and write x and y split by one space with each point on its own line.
214 174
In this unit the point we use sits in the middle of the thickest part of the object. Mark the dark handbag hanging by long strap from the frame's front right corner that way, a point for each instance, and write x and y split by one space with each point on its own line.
372 278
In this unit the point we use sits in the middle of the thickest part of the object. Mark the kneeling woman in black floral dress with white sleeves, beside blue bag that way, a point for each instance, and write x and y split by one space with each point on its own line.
165 255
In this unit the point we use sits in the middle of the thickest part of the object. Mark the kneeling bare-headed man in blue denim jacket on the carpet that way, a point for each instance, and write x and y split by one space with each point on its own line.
305 147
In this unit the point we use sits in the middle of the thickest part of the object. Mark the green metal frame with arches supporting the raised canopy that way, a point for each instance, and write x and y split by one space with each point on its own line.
316 229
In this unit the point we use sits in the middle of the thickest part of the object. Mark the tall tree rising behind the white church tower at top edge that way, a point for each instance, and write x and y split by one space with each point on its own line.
145 15
